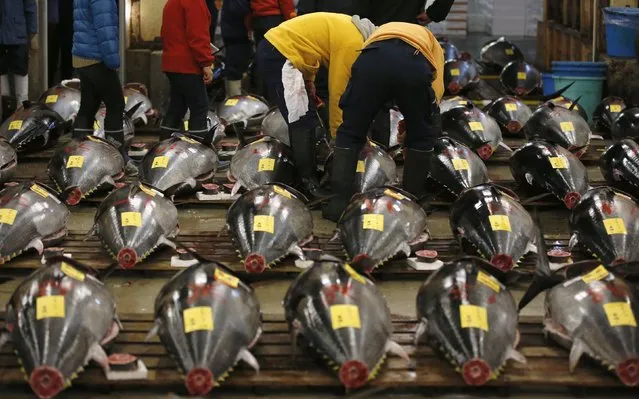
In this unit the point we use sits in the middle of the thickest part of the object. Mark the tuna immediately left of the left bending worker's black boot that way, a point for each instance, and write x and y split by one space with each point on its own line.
263 161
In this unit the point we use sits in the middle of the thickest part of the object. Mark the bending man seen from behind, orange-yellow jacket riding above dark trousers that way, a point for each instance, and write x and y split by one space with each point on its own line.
401 62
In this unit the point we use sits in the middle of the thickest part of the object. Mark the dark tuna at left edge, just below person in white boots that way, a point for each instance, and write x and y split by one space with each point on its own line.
32 128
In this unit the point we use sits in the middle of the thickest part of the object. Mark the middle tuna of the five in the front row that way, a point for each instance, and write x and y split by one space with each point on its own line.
344 317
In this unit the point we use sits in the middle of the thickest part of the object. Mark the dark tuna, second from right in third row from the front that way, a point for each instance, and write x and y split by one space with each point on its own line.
550 168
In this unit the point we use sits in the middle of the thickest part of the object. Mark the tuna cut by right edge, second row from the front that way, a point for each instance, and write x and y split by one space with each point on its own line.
606 223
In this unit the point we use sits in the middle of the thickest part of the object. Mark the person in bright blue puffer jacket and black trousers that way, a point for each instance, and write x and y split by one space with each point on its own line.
96 58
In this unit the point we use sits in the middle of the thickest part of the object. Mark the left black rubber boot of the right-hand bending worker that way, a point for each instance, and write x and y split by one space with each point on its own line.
342 182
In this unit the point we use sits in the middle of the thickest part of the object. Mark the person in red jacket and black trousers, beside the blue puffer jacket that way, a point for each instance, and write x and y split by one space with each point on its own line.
187 61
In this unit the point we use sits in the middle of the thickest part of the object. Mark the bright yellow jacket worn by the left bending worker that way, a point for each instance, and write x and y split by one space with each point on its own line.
318 38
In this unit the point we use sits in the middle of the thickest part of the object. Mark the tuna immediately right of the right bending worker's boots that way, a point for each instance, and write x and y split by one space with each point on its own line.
456 167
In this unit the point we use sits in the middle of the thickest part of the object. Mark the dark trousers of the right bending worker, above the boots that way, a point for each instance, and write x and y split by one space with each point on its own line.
390 70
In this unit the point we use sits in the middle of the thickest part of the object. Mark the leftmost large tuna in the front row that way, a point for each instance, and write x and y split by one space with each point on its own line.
57 320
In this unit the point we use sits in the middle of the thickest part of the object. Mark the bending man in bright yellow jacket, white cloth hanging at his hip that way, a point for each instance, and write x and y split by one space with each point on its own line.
288 61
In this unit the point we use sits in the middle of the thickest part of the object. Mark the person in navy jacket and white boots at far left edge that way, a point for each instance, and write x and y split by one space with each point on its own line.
18 27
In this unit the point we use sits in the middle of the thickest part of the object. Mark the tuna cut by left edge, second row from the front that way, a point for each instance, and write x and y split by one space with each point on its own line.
31 217
